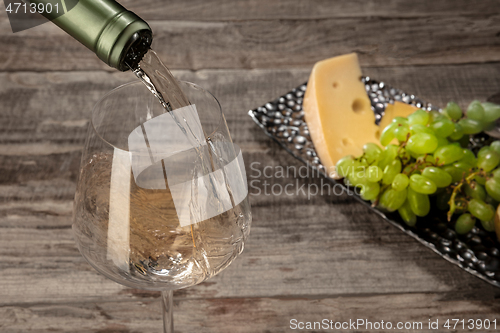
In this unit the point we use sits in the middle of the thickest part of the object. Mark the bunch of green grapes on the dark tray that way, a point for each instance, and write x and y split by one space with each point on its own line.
431 161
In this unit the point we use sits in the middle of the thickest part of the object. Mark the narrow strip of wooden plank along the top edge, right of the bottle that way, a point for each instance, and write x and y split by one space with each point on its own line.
199 10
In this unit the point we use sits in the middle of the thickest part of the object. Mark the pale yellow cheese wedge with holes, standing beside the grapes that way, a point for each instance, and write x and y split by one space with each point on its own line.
338 112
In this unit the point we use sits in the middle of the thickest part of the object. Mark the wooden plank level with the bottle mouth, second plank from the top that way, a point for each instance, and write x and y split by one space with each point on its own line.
274 43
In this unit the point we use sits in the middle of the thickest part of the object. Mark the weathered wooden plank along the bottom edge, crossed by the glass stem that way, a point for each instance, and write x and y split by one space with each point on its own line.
254 314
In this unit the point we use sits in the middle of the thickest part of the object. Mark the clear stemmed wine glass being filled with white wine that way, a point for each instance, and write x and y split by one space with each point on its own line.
161 202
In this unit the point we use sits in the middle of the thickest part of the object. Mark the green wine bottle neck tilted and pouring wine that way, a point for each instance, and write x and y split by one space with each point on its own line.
116 35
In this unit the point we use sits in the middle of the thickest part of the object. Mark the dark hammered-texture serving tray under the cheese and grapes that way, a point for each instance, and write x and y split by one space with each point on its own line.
478 252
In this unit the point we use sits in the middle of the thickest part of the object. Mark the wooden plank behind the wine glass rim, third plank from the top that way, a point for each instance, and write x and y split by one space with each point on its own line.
30 116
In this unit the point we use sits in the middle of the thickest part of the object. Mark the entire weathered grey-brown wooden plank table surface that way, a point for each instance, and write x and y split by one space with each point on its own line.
306 258
